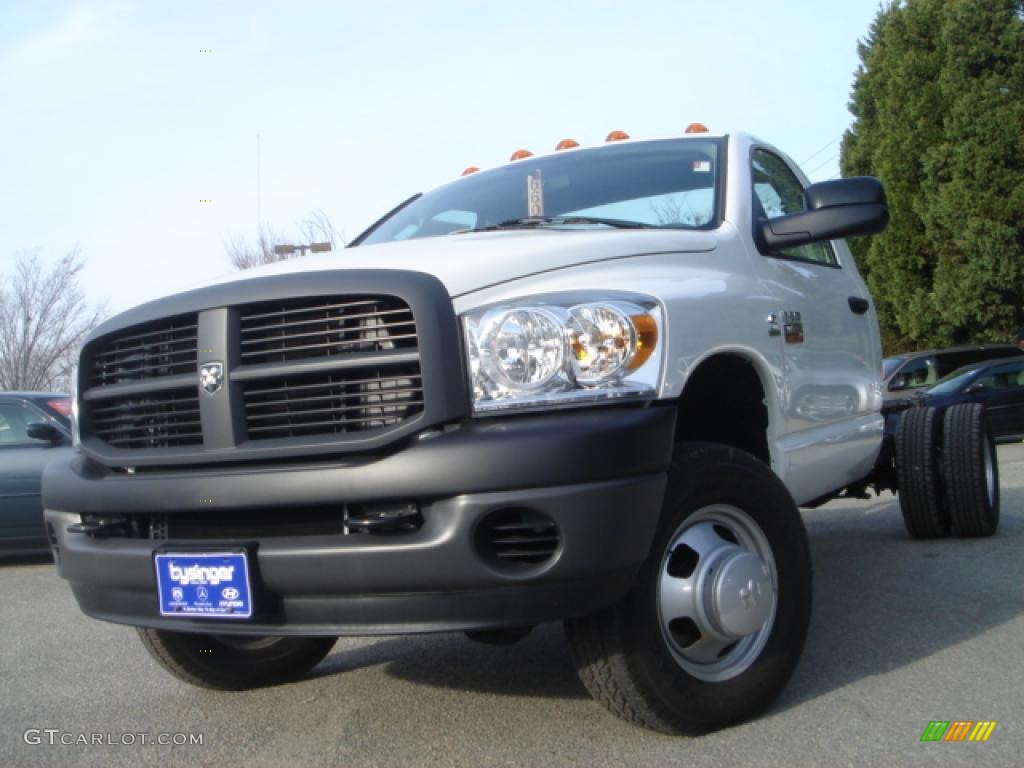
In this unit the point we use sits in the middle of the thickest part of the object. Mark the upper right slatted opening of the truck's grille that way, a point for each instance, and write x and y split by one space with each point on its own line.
324 327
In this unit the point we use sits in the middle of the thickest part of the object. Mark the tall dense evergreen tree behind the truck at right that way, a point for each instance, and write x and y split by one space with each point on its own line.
938 106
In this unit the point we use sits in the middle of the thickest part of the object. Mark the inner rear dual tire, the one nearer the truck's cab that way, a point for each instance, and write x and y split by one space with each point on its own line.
921 495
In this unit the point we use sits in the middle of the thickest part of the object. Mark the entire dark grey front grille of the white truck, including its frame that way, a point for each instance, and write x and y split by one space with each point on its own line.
310 365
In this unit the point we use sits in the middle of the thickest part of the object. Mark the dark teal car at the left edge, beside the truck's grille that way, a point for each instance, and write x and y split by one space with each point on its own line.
35 428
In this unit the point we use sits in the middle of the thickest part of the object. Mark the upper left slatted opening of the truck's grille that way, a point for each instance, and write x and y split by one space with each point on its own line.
163 349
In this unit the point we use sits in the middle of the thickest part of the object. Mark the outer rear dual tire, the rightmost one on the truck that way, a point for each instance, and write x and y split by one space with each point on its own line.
971 472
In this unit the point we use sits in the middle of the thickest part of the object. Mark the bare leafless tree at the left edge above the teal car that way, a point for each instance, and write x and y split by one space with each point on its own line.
45 317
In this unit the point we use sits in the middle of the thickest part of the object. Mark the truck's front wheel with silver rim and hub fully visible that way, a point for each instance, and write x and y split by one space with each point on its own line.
714 626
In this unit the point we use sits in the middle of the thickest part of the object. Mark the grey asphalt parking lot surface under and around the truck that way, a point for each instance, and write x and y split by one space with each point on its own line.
904 633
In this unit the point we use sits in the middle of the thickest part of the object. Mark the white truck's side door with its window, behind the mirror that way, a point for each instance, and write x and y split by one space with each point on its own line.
829 331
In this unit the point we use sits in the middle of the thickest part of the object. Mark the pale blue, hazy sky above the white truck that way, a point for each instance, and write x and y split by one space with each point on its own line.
130 130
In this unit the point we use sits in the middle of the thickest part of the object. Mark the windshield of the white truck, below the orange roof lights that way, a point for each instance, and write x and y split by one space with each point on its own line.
667 184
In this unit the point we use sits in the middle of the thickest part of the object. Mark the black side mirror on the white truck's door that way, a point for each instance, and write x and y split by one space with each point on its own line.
835 209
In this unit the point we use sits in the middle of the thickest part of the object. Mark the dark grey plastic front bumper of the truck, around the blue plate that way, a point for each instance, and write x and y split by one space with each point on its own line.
600 476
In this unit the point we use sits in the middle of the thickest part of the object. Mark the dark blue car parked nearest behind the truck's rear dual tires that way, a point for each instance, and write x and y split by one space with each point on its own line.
999 386
